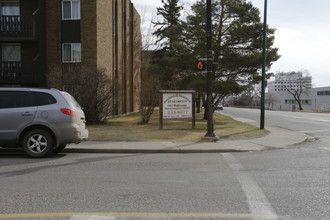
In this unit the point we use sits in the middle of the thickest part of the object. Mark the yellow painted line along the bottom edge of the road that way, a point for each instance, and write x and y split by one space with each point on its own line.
112 216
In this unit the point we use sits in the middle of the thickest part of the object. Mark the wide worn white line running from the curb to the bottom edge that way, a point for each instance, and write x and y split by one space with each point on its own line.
258 203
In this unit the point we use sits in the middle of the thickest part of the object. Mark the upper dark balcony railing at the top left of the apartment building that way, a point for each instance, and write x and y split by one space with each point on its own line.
16 26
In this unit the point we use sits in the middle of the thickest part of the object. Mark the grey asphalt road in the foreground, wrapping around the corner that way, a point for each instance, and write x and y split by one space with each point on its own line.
288 184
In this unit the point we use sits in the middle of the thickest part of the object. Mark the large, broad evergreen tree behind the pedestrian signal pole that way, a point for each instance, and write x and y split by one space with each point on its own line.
237 43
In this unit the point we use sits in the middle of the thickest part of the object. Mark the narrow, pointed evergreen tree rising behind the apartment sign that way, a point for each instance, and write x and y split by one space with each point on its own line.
173 58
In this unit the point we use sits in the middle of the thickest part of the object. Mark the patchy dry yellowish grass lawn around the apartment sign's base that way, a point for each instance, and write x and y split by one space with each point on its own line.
127 128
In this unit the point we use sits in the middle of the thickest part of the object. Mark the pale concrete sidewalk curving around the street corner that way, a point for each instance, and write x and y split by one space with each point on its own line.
278 138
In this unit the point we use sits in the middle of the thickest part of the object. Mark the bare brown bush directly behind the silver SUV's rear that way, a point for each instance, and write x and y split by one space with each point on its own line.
92 89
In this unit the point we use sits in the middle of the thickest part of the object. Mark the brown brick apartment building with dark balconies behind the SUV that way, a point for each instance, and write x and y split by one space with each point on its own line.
39 36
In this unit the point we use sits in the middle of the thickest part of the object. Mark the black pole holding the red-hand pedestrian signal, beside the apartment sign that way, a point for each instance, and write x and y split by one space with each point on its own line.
209 68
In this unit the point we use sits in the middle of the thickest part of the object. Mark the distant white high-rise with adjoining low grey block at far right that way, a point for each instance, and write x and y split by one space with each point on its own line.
278 98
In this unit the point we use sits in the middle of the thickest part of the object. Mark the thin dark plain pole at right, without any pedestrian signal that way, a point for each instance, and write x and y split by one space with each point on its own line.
263 74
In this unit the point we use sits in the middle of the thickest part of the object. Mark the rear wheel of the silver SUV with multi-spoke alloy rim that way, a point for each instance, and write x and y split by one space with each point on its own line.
38 143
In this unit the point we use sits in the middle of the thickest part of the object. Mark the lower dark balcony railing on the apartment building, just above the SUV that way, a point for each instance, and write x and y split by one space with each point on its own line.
13 72
